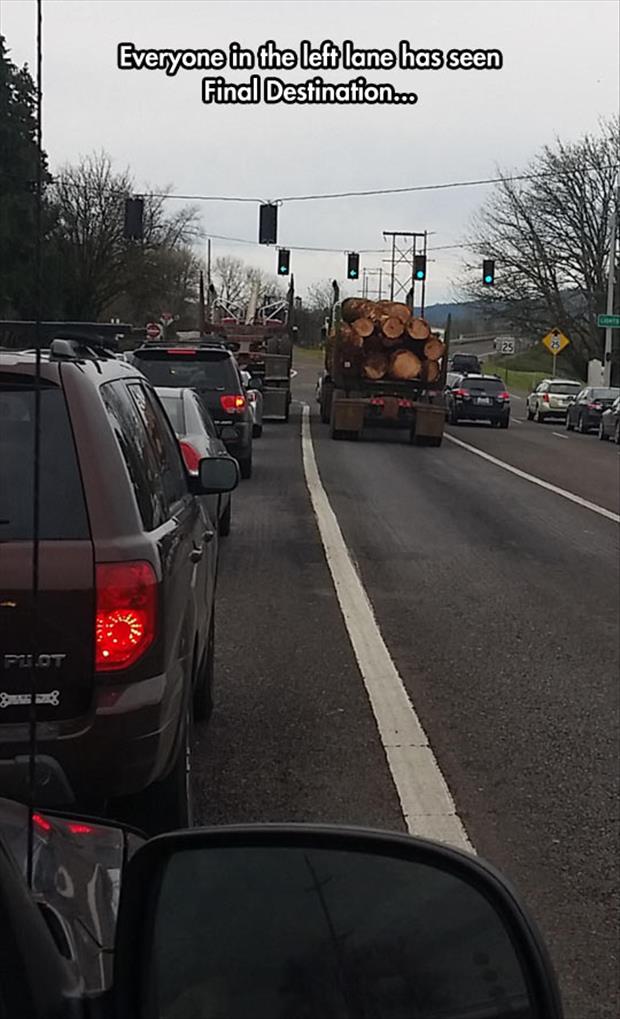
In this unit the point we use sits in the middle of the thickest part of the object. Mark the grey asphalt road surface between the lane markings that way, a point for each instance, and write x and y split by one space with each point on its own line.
498 602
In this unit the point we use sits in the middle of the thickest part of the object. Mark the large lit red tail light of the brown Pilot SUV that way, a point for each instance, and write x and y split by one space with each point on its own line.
127 604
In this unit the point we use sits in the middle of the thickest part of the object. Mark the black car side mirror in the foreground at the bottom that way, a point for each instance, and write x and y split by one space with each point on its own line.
302 921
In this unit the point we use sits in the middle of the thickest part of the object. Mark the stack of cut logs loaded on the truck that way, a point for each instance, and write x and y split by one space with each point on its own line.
383 340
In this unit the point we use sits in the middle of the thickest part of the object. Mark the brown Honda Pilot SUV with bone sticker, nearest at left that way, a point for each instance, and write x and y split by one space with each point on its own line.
120 638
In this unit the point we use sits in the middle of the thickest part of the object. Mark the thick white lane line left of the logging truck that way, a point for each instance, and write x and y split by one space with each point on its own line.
427 803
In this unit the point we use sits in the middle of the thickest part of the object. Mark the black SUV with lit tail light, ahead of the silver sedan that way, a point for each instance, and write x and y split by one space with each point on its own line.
213 371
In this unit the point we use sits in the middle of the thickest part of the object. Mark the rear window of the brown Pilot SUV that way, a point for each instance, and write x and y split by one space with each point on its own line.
63 514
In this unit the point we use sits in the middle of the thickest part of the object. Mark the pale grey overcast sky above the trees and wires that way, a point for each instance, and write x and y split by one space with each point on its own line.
560 75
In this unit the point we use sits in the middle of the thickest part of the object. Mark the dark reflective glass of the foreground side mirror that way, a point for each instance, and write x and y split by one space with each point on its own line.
323 934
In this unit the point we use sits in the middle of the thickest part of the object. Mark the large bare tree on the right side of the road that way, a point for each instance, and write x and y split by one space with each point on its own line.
550 237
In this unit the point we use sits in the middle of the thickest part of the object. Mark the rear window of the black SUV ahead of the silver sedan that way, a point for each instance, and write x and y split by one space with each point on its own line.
200 370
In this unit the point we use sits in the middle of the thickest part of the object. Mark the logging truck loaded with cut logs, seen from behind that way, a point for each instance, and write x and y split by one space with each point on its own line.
384 367
